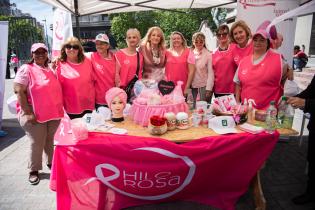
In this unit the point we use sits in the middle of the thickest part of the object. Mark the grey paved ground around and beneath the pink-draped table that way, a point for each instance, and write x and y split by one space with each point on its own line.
282 178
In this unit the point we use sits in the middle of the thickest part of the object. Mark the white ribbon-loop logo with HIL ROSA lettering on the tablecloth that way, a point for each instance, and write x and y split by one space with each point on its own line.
154 184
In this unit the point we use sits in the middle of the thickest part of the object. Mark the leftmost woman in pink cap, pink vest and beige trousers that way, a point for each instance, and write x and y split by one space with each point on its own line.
40 107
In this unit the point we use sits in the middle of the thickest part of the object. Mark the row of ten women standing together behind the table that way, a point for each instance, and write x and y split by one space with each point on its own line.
77 82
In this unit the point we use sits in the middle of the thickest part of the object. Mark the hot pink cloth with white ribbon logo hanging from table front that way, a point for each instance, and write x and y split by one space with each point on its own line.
113 172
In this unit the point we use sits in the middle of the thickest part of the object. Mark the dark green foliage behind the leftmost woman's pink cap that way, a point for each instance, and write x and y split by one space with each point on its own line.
23 32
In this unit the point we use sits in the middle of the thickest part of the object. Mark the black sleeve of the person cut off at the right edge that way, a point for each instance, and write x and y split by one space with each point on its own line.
309 95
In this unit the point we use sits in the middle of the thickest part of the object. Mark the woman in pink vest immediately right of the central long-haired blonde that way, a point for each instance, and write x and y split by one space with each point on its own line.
180 61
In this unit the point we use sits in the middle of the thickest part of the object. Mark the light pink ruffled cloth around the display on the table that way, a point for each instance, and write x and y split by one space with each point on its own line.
142 113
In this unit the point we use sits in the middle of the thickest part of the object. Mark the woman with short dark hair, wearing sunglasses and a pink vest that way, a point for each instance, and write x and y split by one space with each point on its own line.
223 63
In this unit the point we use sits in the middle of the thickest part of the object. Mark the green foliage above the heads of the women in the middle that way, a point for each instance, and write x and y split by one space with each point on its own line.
184 21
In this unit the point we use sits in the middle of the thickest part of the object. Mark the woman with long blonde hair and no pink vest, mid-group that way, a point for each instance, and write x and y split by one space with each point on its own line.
153 50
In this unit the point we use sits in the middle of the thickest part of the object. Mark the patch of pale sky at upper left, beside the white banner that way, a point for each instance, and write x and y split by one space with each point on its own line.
38 10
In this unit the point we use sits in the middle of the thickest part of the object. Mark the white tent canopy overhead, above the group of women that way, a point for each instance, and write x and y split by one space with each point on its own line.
87 7
